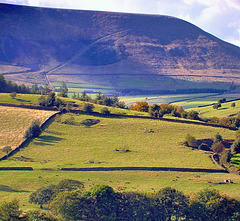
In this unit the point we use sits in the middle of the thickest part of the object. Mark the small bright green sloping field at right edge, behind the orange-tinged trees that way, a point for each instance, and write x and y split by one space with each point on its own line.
224 111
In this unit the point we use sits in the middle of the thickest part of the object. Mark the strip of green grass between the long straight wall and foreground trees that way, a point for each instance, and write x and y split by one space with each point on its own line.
19 184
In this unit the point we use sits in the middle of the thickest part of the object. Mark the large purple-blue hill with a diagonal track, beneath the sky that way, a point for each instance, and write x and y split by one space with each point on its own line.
113 51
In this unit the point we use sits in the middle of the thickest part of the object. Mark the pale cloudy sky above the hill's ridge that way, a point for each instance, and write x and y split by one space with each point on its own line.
218 17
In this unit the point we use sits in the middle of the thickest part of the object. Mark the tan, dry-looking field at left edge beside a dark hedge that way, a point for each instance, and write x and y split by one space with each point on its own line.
14 122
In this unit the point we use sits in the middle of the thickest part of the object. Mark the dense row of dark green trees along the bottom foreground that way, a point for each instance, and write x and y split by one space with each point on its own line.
69 200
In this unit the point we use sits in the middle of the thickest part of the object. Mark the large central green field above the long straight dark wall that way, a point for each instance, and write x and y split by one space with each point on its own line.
64 145
